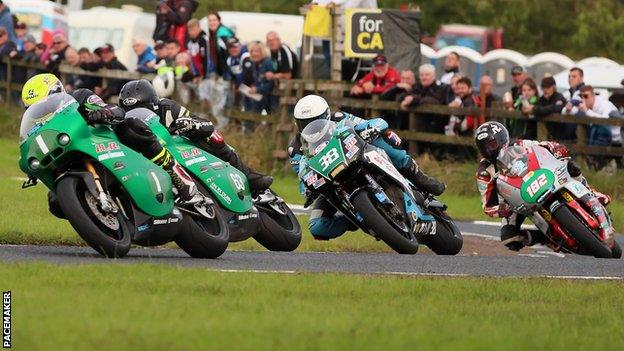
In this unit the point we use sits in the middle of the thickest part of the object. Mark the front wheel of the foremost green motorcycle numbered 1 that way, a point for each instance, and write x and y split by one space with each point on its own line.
107 233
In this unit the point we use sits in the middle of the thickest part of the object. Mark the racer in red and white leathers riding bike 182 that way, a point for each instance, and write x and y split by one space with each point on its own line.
491 137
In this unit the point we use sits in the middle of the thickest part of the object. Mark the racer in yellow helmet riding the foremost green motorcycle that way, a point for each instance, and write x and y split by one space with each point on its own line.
130 131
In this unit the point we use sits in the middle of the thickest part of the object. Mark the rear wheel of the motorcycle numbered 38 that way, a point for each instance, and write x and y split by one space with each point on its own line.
447 240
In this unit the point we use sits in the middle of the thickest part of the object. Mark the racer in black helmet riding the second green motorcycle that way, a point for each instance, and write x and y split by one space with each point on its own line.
178 119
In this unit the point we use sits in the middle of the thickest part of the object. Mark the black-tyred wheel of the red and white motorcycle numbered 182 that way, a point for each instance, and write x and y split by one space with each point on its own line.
583 235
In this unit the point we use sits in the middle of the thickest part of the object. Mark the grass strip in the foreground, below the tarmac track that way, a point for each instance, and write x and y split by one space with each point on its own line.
153 307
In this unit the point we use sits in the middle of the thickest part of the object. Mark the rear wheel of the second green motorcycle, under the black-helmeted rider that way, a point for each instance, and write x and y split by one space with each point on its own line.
279 232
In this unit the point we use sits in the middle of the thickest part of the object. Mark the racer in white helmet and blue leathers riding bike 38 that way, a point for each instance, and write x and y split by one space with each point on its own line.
325 223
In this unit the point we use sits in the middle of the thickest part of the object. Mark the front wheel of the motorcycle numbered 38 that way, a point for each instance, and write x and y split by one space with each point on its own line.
375 219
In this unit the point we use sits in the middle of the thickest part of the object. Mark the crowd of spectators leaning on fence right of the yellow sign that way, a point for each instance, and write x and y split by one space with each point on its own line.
452 89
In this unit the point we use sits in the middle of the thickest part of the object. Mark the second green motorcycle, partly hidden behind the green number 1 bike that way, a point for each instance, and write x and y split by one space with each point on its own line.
264 216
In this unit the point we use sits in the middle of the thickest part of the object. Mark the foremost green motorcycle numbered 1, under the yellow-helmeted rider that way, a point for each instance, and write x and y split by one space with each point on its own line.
111 195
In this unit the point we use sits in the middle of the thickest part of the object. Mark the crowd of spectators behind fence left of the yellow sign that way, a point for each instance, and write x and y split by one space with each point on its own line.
198 59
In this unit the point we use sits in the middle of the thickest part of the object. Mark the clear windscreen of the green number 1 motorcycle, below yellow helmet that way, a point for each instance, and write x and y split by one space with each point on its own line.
41 112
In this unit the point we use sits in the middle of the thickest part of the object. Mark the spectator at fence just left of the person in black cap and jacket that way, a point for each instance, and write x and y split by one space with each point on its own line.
522 128
